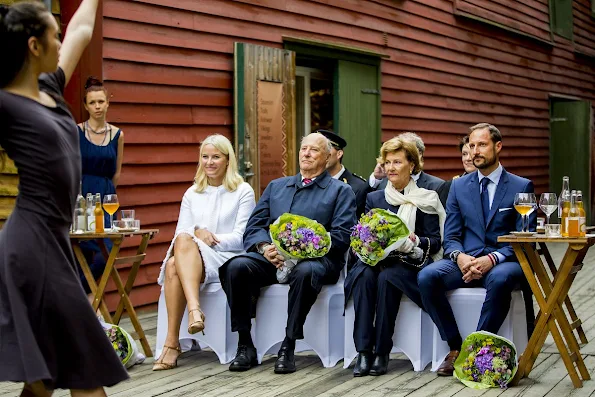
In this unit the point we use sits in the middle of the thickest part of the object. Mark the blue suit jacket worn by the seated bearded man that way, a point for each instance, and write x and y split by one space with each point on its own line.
465 229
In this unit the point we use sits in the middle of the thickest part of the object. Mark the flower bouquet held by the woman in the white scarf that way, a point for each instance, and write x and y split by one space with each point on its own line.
378 233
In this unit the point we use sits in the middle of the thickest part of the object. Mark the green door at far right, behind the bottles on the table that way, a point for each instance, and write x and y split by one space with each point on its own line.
570 147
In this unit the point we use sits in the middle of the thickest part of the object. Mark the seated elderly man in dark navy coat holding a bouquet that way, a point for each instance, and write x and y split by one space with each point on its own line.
311 193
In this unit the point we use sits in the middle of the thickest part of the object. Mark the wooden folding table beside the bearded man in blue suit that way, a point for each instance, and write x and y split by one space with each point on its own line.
551 294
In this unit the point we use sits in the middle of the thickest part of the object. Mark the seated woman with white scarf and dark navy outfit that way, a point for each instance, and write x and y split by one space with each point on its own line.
377 290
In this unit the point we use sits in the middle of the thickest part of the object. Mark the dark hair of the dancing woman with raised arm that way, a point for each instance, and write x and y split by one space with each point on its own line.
18 23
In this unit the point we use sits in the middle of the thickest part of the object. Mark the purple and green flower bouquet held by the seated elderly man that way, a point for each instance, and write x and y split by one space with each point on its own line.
297 237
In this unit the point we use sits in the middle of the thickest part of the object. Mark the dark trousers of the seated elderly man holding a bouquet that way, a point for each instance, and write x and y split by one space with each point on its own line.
243 276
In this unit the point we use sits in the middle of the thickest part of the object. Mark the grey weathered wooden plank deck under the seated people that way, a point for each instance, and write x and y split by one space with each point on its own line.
200 374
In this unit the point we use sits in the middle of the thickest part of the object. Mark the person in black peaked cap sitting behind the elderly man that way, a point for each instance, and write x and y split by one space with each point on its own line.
338 171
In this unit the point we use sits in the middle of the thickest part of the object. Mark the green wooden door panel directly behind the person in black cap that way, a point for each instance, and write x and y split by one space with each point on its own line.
357 114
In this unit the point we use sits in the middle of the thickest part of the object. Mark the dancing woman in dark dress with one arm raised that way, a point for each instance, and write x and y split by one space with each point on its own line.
49 336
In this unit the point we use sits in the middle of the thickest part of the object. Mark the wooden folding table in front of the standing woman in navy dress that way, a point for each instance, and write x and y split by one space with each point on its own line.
110 270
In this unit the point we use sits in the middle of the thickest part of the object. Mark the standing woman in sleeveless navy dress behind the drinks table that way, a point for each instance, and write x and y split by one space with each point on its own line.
102 150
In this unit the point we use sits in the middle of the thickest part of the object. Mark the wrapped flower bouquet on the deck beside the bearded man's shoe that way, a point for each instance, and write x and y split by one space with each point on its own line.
486 360
